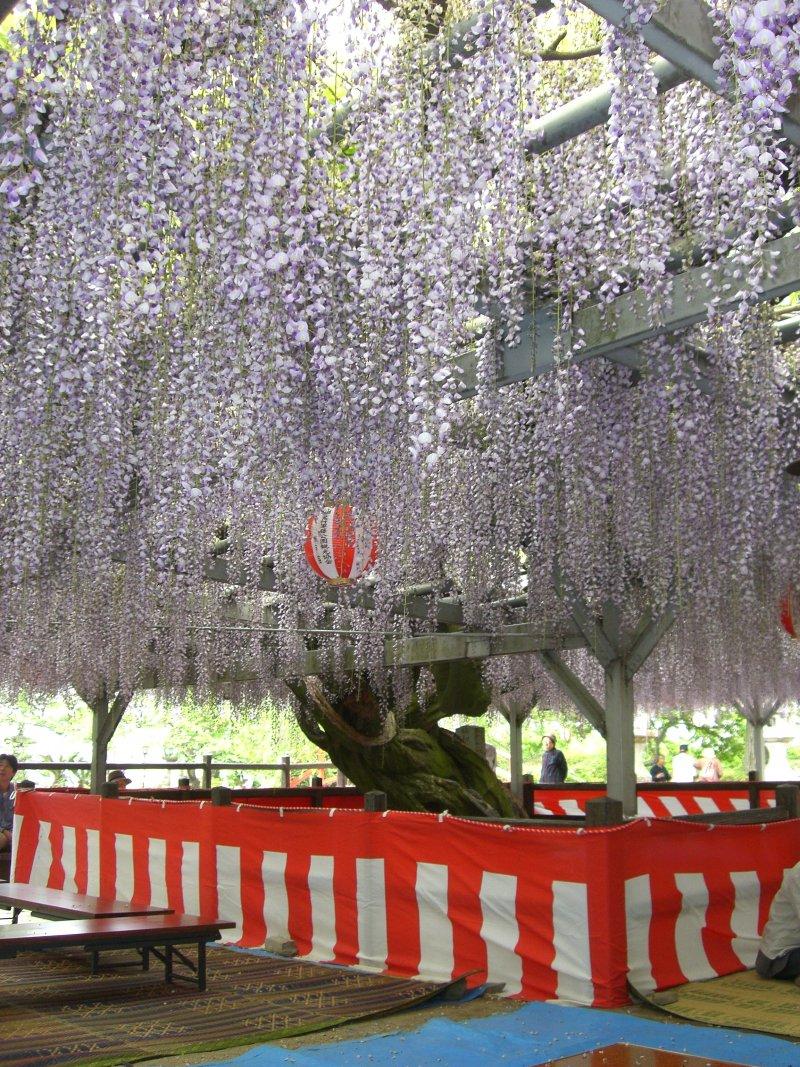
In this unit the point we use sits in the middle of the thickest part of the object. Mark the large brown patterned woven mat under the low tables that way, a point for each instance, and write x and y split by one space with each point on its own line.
55 1013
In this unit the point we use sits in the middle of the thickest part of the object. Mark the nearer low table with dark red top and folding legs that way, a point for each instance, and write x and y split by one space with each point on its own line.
159 935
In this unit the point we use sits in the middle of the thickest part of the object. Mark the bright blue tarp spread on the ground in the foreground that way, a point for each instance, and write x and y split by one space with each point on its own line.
533 1036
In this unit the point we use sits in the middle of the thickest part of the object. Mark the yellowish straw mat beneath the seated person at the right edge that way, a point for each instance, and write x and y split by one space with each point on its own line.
743 1000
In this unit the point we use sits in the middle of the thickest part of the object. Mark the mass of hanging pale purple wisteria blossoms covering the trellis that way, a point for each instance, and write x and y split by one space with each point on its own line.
228 301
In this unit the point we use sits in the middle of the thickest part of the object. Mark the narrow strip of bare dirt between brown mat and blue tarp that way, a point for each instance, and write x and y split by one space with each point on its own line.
412 1020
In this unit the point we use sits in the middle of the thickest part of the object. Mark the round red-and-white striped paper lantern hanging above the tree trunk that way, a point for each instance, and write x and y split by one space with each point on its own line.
338 547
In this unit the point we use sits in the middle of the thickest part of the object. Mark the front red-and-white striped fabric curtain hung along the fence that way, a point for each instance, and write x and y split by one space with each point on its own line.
536 875
